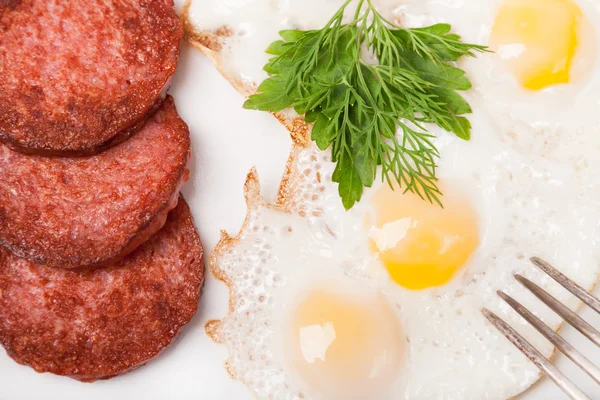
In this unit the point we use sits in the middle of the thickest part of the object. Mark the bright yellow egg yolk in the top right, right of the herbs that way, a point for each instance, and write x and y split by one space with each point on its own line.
539 38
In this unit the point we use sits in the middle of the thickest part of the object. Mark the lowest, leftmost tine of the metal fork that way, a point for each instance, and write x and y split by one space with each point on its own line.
536 357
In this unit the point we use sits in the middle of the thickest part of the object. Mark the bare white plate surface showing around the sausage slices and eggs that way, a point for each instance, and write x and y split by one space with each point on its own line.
227 142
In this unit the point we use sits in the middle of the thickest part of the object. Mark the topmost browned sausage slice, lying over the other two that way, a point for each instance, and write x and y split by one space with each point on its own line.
81 75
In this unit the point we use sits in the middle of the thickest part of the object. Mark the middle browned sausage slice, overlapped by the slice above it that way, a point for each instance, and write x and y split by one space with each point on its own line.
92 211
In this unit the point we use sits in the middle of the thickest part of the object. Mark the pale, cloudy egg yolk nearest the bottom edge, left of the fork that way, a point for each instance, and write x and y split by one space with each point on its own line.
345 345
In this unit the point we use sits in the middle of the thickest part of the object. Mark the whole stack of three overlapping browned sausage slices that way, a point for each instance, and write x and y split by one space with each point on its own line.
100 262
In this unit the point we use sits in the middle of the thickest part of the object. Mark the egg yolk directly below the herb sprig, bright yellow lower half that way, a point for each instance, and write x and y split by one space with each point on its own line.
421 244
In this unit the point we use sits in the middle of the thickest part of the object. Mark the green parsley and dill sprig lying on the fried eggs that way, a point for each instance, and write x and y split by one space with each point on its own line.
357 106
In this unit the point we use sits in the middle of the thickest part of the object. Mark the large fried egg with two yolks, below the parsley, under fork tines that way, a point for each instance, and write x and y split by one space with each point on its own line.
383 301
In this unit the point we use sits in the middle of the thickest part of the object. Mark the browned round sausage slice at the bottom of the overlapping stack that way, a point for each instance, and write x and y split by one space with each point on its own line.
106 322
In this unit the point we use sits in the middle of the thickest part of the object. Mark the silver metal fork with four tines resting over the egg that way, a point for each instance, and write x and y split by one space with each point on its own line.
572 318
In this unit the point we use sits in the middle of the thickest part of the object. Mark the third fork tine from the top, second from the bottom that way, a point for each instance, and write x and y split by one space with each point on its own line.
554 338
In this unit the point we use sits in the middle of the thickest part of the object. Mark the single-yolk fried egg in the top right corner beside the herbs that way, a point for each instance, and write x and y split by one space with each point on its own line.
539 84
